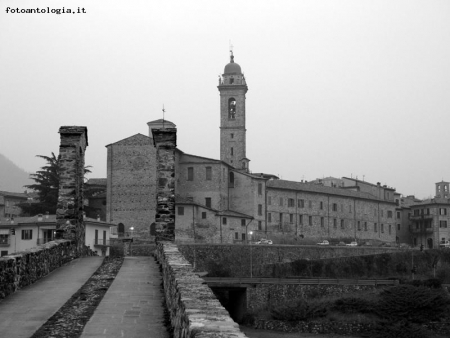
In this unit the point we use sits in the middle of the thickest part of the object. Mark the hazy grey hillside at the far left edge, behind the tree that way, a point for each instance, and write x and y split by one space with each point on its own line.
12 178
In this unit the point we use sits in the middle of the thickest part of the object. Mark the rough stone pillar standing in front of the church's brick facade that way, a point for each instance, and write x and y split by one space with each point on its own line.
165 140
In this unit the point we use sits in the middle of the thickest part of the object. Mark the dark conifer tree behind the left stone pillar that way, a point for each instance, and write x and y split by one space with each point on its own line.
47 186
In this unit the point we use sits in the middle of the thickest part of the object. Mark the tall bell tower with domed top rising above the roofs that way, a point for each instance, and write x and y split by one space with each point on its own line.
232 88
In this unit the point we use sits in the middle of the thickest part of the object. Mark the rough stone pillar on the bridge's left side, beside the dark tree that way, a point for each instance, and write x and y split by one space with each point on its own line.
69 213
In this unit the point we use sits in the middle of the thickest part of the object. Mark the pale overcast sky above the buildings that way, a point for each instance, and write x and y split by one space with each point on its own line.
336 88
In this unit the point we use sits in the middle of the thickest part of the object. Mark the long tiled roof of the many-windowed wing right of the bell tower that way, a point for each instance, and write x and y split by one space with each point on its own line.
318 188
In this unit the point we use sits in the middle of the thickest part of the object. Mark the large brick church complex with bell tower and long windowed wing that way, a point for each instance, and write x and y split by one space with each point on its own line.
222 201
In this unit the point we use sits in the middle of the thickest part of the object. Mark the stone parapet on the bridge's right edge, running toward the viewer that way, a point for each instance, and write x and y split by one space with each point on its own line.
194 309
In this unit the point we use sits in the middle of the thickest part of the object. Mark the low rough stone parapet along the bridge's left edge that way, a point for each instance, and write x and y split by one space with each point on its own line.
25 268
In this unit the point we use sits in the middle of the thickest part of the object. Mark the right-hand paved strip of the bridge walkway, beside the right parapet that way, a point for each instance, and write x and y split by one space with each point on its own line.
133 305
